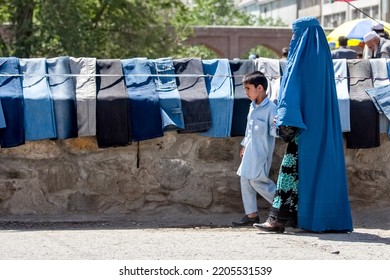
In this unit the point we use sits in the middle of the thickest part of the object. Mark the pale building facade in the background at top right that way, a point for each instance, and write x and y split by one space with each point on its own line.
329 14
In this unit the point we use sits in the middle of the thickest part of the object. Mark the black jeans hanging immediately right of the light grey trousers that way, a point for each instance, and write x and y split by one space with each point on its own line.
112 107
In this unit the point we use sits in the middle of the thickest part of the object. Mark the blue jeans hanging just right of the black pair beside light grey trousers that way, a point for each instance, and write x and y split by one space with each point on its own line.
145 112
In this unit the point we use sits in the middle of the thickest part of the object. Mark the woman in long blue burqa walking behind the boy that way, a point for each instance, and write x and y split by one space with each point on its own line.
312 190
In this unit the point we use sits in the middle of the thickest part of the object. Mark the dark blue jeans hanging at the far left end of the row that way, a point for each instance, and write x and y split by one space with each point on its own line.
11 97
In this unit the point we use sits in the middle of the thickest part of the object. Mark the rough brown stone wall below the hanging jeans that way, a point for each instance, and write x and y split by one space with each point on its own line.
182 173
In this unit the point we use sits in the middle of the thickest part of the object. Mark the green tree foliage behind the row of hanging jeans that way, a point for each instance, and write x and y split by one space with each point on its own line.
110 28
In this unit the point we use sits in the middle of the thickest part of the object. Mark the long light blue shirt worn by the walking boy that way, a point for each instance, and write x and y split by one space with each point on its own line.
259 140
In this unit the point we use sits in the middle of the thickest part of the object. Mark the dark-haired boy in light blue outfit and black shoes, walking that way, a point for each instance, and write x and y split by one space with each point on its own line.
257 148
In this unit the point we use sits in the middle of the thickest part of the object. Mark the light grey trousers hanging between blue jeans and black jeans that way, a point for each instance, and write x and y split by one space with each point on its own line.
85 83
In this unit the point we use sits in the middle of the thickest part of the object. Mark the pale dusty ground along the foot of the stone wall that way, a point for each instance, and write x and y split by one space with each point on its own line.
173 236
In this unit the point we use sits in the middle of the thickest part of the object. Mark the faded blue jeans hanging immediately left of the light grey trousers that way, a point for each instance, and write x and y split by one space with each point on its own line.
62 88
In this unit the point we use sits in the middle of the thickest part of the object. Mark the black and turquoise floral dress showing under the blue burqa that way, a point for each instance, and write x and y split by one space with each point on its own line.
285 204
